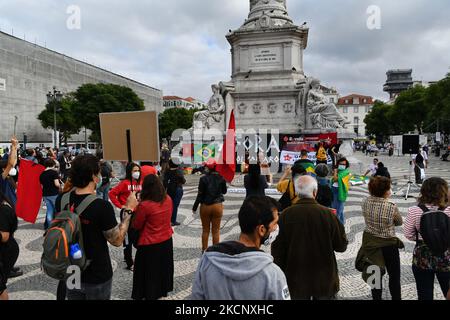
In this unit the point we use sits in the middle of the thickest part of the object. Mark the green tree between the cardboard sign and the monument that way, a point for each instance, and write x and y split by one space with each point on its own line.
173 119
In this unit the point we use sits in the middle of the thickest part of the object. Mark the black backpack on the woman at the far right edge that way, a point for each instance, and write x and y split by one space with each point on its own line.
435 231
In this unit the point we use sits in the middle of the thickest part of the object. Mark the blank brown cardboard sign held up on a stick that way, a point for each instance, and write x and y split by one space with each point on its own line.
144 135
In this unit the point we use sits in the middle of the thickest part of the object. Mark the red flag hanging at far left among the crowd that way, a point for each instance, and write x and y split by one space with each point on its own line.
29 191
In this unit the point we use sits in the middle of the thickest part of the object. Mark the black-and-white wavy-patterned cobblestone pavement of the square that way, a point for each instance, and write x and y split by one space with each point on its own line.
34 285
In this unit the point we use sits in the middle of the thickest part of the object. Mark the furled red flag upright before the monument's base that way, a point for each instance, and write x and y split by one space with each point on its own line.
227 167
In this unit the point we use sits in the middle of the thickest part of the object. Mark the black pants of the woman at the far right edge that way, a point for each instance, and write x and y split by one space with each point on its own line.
425 283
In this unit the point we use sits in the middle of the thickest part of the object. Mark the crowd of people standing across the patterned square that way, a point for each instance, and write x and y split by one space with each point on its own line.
304 230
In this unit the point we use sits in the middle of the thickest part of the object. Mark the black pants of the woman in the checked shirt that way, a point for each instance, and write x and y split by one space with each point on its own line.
392 260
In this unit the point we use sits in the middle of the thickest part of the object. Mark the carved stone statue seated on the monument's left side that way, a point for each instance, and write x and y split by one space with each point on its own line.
214 116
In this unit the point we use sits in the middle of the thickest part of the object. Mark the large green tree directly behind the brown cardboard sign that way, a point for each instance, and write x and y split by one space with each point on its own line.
93 99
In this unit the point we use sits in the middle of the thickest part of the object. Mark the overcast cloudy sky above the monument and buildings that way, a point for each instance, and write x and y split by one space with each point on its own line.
179 46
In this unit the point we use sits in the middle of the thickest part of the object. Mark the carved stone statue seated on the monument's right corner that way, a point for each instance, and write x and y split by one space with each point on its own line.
323 115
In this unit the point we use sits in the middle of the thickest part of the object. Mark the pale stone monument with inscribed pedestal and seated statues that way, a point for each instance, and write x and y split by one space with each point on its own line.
268 87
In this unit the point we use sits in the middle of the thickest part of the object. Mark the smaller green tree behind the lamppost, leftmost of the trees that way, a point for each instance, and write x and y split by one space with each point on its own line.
66 121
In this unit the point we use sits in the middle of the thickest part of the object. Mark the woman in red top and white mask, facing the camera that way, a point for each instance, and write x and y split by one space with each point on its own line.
119 196
